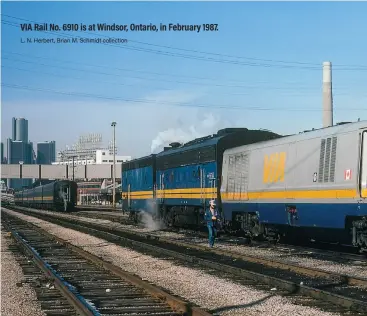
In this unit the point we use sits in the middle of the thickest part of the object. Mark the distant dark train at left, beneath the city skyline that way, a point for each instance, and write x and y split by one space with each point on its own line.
57 195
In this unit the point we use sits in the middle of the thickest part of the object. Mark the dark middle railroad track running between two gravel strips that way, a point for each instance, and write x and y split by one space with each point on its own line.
329 290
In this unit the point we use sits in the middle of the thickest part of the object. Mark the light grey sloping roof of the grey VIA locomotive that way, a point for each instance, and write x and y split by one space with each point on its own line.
344 127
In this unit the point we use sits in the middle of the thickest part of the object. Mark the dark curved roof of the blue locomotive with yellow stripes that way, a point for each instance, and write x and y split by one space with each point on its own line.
214 139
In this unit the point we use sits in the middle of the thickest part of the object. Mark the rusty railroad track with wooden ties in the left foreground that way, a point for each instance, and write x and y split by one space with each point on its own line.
79 283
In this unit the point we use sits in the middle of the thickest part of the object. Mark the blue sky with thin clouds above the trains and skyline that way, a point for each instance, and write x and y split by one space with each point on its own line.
262 68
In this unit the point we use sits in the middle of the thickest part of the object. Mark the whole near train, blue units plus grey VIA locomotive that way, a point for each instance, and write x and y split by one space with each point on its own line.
311 185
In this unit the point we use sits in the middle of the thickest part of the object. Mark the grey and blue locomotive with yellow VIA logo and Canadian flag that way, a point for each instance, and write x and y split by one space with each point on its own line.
313 185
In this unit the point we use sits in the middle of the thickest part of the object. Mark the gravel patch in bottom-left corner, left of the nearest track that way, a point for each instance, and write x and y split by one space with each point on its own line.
15 300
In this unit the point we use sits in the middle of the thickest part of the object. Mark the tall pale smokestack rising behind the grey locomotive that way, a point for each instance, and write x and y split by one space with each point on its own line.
327 95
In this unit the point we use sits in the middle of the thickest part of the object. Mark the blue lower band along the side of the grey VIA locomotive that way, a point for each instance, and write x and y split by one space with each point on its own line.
309 214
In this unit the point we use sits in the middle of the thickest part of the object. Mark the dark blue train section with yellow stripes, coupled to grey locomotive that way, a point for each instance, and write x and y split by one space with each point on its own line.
178 182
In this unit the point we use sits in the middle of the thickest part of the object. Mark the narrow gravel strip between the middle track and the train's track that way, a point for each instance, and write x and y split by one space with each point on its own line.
357 269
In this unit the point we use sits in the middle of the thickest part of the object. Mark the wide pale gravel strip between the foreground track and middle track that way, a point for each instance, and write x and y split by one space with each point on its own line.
217 294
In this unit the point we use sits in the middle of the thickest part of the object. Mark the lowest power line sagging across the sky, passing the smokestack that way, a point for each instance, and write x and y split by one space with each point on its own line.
143 101
